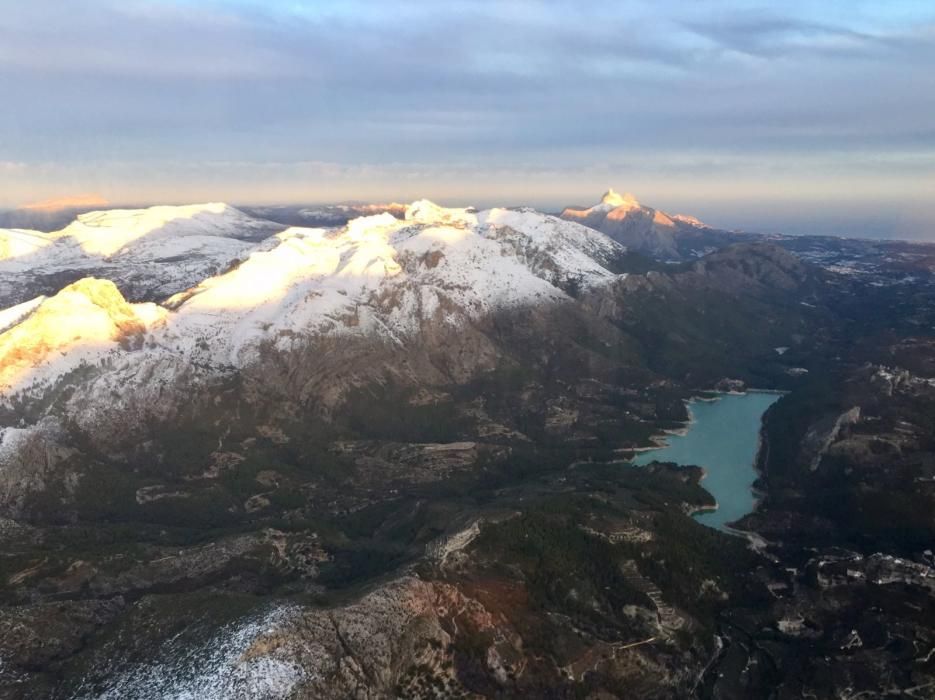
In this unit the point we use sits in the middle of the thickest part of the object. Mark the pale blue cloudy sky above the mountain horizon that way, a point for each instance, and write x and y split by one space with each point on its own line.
805 117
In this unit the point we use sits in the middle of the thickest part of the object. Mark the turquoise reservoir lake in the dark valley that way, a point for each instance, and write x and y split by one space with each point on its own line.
723 439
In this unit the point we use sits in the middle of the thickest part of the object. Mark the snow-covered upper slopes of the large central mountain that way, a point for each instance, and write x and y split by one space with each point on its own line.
380 275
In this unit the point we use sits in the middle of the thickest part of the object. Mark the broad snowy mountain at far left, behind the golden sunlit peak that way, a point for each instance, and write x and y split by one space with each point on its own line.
149 253
